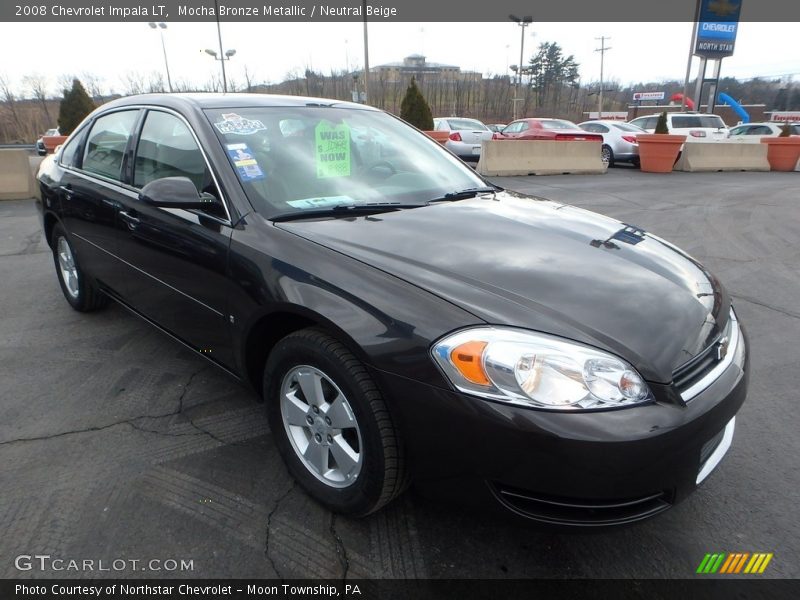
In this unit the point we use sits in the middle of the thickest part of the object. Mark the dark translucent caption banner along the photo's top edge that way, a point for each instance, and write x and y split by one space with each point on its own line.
378 10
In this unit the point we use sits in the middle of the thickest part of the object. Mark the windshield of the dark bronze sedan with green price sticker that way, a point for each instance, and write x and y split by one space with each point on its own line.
303 159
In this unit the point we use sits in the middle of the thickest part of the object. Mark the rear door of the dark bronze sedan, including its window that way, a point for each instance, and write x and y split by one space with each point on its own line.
91 193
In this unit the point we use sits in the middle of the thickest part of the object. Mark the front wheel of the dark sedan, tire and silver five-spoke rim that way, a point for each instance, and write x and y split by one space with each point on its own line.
331 424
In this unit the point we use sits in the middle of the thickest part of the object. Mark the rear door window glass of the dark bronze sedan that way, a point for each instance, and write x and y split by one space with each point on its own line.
105 146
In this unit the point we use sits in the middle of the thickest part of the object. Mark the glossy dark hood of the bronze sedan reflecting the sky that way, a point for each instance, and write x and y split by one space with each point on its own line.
526 262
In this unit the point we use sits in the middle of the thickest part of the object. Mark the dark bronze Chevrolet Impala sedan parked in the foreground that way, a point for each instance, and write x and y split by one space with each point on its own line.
403 319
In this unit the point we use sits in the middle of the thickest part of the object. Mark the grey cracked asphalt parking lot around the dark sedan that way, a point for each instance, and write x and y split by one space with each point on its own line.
116 443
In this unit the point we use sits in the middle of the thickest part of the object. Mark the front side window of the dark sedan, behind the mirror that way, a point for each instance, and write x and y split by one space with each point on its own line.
167 148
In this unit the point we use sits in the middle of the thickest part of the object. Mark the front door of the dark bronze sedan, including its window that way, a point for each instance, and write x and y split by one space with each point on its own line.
176 259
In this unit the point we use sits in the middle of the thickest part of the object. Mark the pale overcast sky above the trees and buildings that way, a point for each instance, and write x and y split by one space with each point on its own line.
639 51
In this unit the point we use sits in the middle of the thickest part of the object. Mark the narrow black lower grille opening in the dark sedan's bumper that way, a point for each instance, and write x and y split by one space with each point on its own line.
567 511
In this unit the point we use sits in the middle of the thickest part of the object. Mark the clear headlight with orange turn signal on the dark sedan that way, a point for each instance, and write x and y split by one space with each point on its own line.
537 370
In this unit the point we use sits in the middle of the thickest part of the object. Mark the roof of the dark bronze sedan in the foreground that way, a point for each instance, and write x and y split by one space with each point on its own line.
202 101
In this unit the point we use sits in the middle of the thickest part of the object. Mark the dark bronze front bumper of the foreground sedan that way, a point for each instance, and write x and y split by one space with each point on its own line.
589 468
